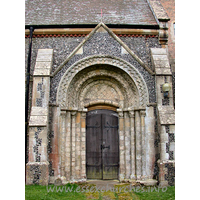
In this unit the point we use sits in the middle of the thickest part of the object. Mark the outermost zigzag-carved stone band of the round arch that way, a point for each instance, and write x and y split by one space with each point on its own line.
101 60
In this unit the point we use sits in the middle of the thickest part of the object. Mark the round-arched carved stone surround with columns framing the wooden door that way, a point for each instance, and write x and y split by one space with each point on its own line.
102 81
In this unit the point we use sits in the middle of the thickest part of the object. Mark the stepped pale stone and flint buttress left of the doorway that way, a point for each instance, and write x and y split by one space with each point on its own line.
37 167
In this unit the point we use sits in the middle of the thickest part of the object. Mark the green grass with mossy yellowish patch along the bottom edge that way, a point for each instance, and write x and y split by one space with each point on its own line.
75 191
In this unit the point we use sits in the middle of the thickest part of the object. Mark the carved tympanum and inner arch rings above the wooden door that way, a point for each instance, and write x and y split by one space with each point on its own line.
101 85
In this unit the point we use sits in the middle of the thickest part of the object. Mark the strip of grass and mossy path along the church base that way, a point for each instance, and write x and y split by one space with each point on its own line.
99 189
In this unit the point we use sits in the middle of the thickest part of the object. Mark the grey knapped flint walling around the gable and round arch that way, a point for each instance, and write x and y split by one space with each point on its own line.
97 44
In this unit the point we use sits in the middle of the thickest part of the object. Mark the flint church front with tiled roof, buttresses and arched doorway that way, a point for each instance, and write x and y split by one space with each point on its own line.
98 109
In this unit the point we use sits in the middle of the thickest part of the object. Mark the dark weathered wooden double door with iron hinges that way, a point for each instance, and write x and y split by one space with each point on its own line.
102 144
